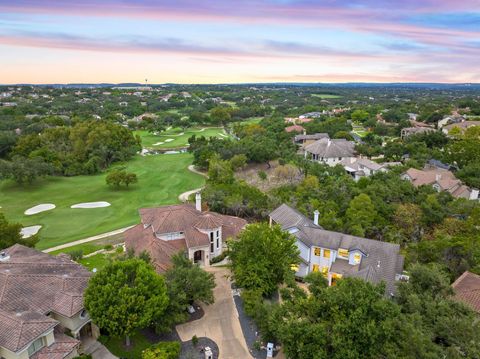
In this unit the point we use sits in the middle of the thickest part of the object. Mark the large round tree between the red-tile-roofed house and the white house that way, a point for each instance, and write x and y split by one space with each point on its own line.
262 257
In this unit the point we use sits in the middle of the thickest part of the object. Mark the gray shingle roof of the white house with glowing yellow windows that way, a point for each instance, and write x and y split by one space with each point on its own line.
382 260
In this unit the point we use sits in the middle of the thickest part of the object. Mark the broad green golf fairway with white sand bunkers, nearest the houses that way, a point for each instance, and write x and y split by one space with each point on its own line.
161 179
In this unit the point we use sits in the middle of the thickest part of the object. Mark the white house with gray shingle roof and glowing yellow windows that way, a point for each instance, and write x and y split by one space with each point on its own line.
338 255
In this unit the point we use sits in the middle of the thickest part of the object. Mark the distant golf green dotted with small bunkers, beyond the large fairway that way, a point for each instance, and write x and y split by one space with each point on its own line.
176 137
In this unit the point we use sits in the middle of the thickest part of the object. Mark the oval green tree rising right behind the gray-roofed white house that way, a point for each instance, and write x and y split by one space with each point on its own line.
360 214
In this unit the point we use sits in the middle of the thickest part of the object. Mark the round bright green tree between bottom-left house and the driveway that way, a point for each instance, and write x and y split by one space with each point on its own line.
126 295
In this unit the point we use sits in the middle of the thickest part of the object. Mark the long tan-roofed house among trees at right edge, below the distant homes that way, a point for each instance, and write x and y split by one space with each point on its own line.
440 179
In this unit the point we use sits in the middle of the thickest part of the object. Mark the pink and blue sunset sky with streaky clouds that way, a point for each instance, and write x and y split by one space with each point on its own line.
238 41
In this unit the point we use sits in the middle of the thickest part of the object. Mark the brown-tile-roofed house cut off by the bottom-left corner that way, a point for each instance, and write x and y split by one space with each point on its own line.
41 299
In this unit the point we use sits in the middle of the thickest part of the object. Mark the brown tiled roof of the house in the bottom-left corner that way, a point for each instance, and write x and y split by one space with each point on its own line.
32 284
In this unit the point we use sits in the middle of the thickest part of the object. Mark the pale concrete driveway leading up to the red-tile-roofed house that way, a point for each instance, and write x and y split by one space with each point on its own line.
220 322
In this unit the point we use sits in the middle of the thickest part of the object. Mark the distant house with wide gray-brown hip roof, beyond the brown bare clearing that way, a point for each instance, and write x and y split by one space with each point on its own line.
330 151
